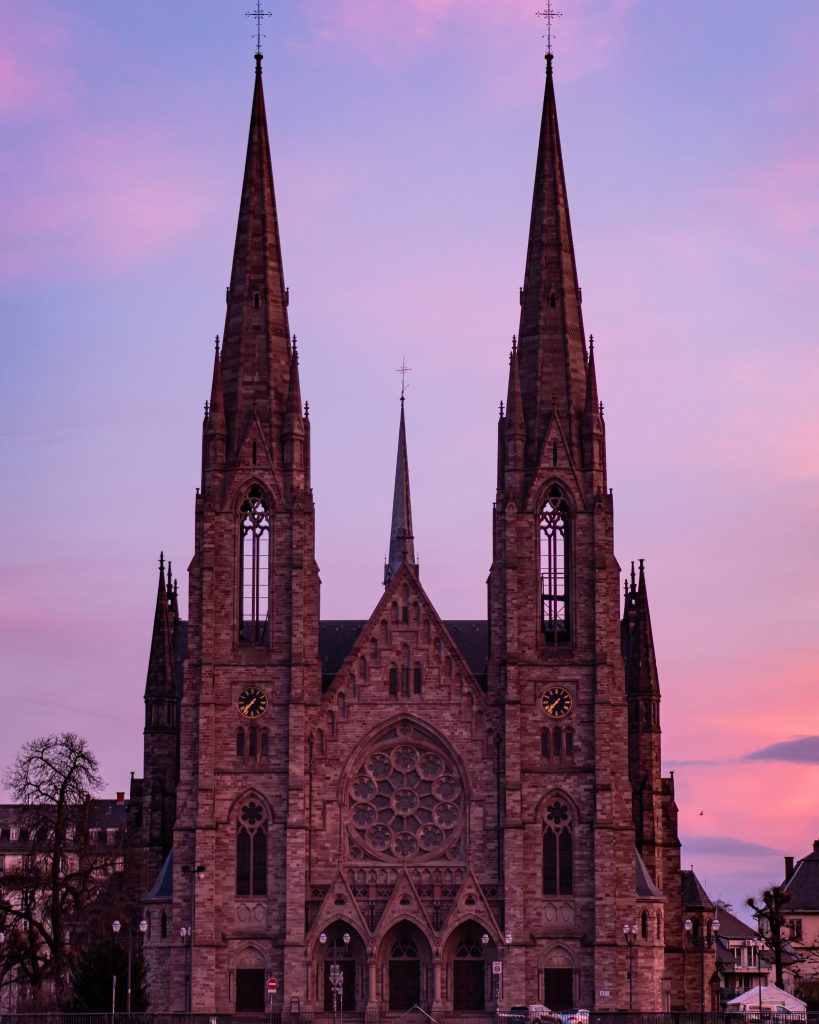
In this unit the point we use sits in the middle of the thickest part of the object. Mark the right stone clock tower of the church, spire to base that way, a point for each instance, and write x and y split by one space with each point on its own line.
555 664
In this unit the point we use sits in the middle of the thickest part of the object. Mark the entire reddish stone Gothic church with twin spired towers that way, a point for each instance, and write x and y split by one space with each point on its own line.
407 810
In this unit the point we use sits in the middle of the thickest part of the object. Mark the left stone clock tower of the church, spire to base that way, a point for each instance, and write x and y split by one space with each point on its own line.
253 638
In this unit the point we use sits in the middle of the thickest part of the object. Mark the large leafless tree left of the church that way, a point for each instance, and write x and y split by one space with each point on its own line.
48 891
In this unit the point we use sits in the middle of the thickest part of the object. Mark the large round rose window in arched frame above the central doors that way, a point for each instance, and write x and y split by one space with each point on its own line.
406 801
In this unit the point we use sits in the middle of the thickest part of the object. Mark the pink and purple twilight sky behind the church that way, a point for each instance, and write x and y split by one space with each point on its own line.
404 142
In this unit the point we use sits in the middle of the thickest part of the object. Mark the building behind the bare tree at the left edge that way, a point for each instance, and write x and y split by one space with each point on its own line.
93 866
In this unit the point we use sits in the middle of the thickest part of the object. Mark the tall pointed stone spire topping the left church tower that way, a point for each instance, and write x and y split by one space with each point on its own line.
256 349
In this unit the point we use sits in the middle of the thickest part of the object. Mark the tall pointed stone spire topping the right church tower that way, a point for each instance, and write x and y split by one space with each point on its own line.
551 337
